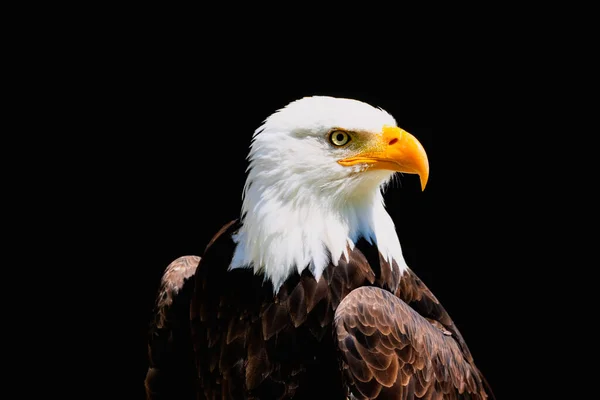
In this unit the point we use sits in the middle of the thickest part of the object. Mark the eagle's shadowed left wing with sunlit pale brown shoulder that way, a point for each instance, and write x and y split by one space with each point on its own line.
171 372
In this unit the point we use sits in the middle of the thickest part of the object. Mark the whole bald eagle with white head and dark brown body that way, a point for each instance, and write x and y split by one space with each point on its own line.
307 294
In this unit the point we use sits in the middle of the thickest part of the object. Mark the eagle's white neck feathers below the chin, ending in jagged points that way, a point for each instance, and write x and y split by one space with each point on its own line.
279 237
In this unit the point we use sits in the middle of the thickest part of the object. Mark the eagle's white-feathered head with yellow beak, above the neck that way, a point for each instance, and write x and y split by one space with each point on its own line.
338 147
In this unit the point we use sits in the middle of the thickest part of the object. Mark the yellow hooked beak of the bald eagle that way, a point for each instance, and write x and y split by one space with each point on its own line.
394 150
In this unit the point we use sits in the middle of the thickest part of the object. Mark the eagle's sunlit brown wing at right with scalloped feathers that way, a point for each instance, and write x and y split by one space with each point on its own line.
391 351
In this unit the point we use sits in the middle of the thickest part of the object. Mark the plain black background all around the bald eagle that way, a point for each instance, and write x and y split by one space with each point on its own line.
134 122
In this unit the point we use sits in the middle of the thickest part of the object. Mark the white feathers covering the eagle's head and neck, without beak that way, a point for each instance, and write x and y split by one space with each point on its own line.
300 207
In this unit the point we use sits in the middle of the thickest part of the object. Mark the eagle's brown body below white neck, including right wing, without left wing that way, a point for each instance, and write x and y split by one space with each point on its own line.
361 330
